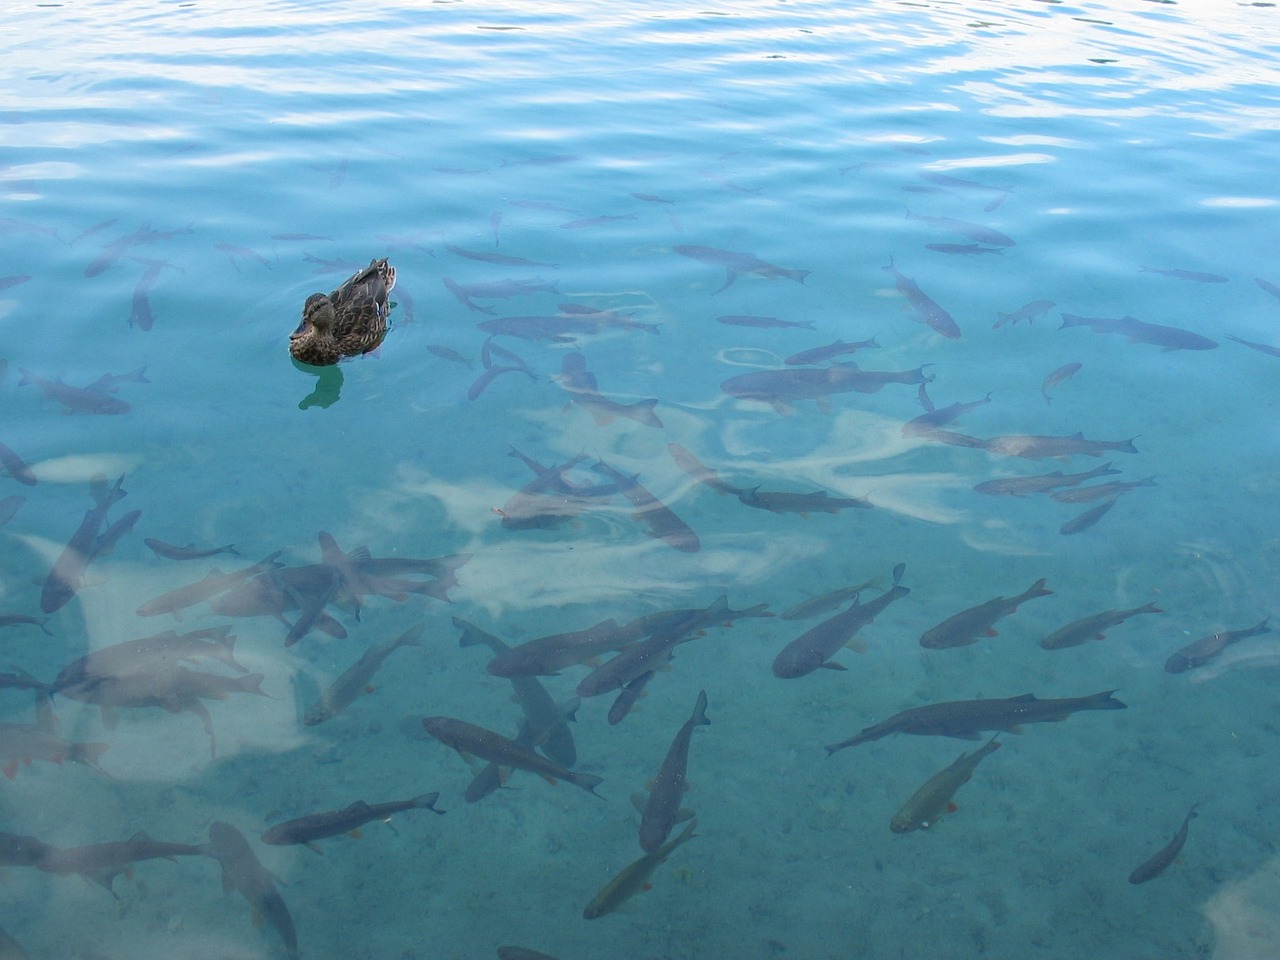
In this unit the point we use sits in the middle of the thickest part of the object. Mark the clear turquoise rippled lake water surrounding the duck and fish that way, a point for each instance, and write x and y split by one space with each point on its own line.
266 152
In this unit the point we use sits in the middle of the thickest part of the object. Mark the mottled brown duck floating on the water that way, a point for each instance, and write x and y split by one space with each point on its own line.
350 322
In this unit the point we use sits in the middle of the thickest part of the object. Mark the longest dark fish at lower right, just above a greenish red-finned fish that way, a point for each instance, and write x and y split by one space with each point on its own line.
966 720
